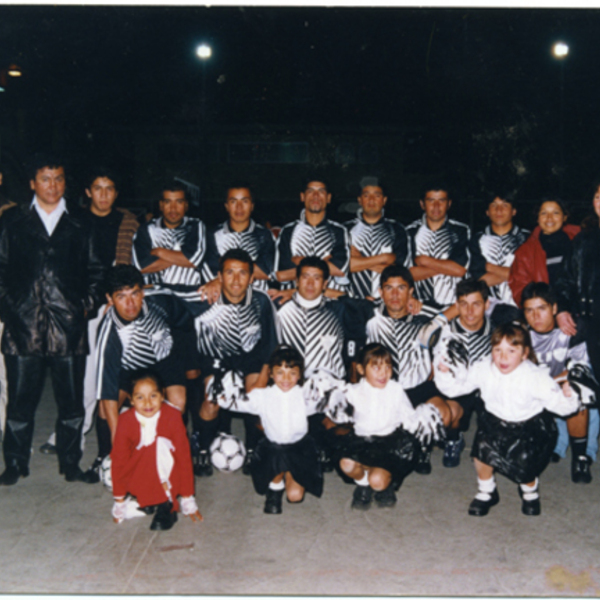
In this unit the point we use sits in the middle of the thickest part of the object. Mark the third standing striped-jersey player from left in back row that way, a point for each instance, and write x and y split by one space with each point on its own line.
313 235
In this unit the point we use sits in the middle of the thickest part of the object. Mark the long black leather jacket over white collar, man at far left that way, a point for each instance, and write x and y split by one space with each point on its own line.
47 284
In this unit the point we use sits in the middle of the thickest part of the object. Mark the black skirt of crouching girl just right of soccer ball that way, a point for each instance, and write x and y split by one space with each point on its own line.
301 459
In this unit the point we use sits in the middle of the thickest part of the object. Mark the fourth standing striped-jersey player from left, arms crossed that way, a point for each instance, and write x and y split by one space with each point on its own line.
376 242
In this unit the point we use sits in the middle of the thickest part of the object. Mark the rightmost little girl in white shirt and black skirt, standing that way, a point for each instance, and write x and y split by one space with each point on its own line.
515 435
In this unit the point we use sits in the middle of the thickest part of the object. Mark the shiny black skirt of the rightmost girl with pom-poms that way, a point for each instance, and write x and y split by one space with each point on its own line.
519 451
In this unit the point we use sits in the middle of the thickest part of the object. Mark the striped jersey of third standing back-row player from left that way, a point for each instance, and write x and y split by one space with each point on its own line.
326 239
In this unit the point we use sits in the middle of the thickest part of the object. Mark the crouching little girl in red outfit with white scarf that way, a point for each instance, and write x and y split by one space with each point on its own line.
151 457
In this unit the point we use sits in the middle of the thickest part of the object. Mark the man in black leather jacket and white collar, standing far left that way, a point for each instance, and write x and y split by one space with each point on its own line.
49 284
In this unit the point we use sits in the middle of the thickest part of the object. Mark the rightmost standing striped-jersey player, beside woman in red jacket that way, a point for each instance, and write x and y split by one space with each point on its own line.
493 249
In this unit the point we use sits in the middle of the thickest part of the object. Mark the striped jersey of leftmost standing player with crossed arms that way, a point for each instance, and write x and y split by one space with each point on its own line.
189 238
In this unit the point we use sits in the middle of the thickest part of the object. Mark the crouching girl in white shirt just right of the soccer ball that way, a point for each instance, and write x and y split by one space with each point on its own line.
287 458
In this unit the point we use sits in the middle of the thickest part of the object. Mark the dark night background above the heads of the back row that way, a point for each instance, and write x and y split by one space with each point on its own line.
471 96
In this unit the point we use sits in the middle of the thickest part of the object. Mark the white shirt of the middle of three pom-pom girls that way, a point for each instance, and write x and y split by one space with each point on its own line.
379 411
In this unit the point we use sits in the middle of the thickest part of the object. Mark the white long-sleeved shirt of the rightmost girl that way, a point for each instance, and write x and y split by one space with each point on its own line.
516 396
